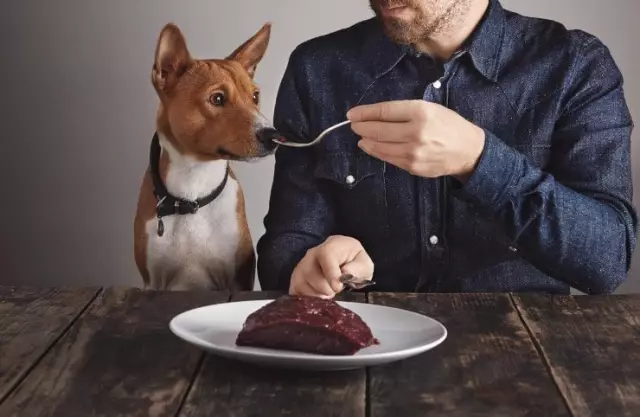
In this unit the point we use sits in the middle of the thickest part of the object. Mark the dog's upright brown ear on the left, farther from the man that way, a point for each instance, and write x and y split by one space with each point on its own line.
172 58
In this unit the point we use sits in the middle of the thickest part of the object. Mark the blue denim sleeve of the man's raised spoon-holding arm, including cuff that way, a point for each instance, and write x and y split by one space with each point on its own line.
575 217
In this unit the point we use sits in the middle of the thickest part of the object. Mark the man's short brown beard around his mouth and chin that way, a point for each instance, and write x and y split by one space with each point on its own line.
422 26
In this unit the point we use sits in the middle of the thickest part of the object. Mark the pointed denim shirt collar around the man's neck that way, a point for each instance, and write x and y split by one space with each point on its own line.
484 46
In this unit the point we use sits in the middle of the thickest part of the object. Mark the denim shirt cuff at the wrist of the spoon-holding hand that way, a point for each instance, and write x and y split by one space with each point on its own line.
491 184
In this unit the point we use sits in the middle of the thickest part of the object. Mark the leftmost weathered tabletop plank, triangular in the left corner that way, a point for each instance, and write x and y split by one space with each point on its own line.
31 320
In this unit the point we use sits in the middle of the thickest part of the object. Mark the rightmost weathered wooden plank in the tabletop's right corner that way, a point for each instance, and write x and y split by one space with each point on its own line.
592 344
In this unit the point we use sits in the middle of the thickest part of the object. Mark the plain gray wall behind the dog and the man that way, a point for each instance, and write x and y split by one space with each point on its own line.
77 113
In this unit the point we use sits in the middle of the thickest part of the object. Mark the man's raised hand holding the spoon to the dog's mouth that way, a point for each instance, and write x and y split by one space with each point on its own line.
425 139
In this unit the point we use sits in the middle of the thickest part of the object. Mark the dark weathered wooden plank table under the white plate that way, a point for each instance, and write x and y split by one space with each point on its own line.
108 352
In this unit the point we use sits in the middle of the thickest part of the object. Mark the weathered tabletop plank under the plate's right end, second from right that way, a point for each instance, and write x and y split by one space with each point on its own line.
487 366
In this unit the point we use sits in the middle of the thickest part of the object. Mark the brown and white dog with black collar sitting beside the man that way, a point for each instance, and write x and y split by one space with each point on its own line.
190 229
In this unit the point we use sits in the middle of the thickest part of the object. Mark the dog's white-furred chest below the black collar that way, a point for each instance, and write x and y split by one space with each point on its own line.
205 243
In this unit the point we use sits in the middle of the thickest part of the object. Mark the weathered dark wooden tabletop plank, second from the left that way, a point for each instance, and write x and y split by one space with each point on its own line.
119 359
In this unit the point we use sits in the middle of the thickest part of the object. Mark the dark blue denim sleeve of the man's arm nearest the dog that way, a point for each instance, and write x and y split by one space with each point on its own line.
300 213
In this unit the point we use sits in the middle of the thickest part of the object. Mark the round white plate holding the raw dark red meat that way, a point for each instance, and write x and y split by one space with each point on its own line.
401 333
